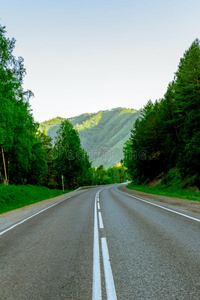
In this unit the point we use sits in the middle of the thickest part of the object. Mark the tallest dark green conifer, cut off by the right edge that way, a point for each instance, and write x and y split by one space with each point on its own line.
187 95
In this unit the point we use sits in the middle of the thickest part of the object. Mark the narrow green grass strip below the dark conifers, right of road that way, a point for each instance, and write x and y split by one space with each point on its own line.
182 193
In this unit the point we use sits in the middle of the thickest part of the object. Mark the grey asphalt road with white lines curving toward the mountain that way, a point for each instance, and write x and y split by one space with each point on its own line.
100 244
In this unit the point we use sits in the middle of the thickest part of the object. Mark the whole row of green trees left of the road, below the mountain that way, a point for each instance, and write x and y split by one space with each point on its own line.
28 156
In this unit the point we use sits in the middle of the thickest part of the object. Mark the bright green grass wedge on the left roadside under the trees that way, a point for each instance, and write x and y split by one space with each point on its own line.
12 197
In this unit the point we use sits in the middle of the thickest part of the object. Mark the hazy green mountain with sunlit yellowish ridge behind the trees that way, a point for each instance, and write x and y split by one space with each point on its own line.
102 134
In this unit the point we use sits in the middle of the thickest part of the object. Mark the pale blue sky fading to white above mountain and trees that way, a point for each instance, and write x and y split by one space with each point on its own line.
82 56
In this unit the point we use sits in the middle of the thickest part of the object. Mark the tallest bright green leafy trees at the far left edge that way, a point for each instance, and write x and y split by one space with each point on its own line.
18 131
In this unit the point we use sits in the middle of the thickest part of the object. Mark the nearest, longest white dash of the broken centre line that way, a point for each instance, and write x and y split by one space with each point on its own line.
110 286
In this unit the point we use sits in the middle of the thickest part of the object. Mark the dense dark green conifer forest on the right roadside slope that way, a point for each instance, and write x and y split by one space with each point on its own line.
165 140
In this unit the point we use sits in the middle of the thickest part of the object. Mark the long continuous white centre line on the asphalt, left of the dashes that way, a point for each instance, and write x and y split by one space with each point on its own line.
96 292
